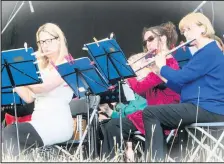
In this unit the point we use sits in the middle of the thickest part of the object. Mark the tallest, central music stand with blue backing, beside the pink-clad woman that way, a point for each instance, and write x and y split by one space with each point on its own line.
111 61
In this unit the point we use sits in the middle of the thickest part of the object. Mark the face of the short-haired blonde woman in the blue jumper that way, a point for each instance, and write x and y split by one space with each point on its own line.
192 31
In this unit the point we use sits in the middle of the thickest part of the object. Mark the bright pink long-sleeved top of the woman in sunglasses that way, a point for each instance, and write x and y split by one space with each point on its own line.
166 96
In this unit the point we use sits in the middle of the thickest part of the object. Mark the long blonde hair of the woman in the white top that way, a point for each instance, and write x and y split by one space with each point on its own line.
55 31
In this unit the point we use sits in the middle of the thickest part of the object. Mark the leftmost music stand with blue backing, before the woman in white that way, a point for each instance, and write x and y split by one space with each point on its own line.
18 69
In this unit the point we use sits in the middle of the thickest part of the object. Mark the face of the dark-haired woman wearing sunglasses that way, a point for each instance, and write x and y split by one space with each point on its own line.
151 41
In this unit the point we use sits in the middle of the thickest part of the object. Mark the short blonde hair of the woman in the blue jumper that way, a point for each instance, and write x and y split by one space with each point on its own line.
200 20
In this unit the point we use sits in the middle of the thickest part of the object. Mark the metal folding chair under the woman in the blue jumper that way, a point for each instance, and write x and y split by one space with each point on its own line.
213 133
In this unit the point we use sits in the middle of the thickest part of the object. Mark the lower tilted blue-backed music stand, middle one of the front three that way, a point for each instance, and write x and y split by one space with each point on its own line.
84 79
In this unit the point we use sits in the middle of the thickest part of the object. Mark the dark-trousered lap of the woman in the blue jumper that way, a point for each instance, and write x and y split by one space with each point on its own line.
172 114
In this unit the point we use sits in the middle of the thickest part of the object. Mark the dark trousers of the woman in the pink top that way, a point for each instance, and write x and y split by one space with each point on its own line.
110 130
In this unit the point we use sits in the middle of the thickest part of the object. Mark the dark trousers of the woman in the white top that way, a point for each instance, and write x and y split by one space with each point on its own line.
28 138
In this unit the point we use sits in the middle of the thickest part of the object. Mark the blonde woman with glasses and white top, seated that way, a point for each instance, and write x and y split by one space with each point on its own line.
51 121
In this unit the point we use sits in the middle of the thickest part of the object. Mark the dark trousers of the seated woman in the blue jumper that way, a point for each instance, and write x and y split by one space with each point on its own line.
168 117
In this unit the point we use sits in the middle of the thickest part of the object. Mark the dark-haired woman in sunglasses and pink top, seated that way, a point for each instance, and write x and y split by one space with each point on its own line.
161 37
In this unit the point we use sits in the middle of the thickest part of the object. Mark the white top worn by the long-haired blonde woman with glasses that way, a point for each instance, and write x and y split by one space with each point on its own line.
52 117
